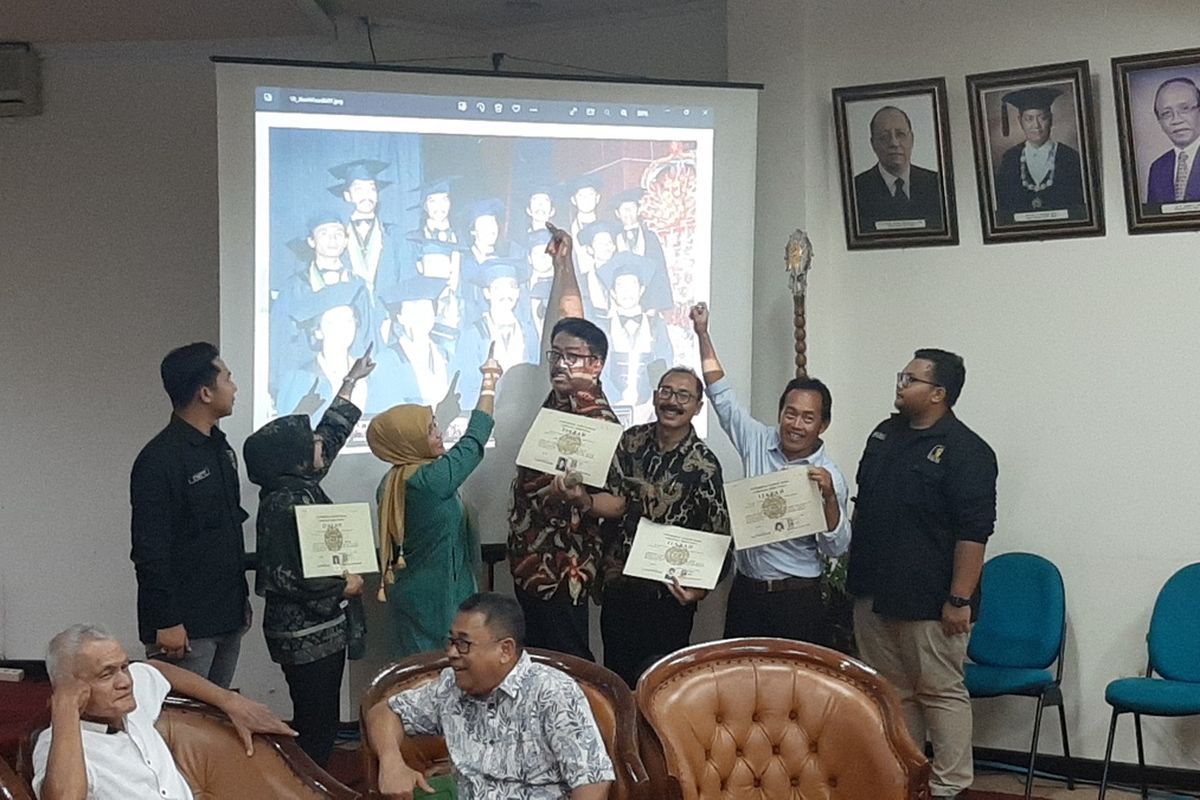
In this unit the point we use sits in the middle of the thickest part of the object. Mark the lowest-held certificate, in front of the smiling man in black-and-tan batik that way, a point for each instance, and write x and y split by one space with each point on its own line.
664 552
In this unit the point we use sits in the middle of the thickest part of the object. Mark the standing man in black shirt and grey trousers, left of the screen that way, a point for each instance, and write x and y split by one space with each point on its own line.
188 539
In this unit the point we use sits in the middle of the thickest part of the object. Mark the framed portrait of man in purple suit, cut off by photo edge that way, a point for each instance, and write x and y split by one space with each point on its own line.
1159 122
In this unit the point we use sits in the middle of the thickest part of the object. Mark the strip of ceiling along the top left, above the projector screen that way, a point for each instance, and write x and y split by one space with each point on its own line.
122 21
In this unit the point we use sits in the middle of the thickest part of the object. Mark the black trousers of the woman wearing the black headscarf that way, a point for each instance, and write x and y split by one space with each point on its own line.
316 691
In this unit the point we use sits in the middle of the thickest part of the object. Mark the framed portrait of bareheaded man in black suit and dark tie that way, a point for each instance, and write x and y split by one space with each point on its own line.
895 159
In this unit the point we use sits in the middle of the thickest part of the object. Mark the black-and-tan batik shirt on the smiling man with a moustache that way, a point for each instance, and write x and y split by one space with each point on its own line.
682 488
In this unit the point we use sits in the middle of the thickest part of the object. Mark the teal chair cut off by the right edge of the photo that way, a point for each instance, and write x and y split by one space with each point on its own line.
1174 645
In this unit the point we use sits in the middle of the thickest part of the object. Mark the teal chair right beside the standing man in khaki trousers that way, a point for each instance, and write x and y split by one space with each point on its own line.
1019 635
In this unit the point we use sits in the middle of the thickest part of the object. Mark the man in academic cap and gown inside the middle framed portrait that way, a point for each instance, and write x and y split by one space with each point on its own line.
1040 173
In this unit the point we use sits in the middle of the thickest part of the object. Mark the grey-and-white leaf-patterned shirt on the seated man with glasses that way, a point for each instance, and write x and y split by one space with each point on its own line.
533 738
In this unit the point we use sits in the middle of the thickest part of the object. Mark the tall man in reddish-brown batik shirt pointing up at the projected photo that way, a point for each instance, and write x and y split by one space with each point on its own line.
556 526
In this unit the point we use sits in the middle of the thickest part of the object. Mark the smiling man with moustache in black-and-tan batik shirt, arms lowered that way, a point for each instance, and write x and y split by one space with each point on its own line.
670 477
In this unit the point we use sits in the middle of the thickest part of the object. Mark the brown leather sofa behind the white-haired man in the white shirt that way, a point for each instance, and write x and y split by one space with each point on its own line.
214 761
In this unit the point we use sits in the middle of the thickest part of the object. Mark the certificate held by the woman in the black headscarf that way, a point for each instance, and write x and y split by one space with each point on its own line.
337 539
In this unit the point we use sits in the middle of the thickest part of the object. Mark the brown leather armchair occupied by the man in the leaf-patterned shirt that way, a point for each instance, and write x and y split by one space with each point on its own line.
610 699
